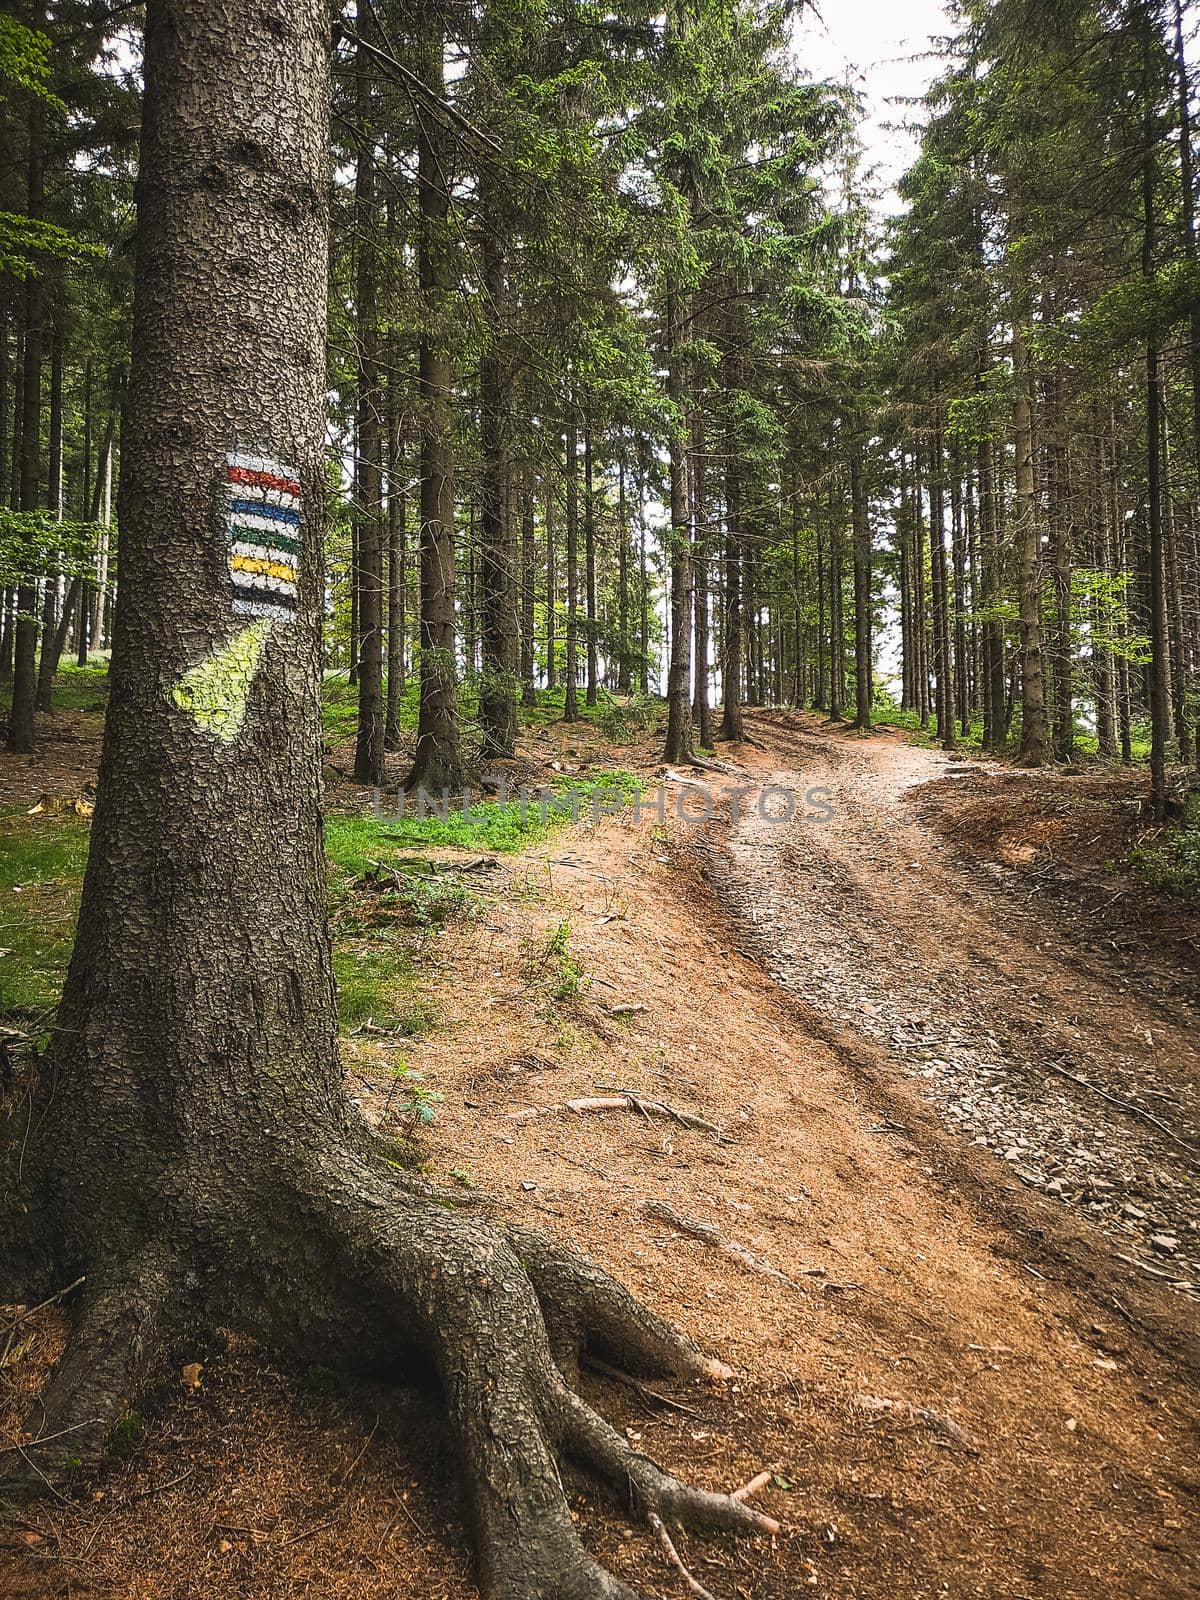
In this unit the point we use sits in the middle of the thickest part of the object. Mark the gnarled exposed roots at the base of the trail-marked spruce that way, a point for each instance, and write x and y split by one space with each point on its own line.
502 1311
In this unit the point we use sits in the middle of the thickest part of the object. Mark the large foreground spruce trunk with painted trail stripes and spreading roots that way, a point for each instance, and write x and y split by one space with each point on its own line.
190 1151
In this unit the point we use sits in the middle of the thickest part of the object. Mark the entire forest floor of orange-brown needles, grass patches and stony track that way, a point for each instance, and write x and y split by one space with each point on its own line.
962 1359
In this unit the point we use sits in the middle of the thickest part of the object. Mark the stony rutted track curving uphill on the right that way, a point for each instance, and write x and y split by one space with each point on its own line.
1060 1062
